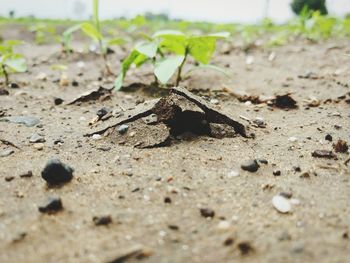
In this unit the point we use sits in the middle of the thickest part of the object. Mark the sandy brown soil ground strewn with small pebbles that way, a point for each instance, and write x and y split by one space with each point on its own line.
190 201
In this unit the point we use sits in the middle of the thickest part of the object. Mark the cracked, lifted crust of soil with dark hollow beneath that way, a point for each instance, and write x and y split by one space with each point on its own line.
176 116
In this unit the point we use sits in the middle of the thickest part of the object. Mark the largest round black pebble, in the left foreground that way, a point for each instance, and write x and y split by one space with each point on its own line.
56 172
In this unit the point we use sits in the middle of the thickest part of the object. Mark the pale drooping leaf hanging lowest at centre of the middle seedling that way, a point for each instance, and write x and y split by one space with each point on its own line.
167 67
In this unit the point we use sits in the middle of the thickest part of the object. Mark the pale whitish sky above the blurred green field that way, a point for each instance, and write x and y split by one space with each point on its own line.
247 11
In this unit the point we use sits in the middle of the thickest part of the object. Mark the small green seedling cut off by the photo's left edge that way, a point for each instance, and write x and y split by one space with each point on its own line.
10 61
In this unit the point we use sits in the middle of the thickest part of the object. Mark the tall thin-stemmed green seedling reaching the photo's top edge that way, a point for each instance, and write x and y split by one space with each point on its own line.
93 30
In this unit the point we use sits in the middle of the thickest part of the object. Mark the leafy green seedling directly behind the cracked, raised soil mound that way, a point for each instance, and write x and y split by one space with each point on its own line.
168 51
